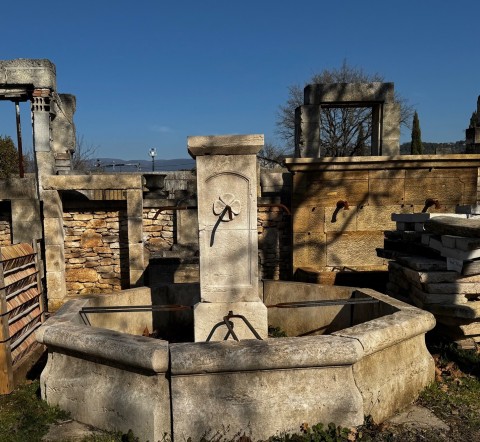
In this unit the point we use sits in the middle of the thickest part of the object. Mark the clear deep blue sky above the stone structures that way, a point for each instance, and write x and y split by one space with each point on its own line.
150 73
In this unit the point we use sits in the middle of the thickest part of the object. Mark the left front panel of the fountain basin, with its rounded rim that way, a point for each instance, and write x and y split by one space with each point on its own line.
70 382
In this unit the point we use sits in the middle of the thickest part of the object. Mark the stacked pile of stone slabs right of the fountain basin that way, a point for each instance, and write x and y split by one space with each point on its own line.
435 265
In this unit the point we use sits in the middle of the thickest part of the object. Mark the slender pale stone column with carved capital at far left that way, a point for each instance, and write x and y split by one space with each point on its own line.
44 160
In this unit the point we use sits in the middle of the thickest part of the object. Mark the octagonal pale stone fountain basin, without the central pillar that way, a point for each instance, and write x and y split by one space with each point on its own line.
352 361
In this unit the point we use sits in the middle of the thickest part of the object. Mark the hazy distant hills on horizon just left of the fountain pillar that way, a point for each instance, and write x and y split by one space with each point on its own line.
119 165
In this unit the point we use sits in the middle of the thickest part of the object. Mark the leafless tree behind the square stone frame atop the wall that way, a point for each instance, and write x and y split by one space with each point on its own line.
339 127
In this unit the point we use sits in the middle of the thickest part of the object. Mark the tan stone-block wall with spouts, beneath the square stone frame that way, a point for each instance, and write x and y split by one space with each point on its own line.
327 236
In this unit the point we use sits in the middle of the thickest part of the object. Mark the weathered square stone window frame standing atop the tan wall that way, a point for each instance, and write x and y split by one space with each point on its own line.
380 97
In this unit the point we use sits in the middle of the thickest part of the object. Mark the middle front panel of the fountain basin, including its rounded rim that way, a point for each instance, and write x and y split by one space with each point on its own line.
236 382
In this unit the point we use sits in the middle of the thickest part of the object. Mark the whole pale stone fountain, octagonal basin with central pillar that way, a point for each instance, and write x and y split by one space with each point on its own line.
351 352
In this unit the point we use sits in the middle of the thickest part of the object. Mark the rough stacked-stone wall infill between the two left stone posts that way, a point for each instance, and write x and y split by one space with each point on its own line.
96 251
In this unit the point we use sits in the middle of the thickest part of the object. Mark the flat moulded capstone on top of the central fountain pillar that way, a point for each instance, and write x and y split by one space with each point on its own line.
225 145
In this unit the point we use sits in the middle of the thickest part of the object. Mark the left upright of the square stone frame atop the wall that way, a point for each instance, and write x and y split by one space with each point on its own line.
307 132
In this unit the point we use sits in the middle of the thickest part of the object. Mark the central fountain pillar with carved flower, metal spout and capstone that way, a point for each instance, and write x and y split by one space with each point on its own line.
228 238
